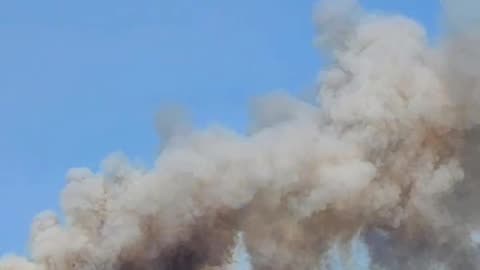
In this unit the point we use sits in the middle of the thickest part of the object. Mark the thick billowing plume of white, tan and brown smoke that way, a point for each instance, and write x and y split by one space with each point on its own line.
388 153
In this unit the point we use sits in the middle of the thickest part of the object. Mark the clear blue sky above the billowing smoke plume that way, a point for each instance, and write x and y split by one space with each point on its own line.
82 79
